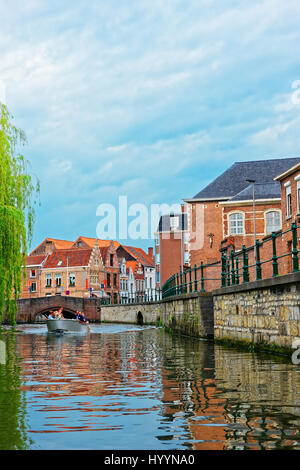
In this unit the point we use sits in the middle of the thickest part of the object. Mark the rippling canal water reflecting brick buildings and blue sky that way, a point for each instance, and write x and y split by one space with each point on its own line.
130 387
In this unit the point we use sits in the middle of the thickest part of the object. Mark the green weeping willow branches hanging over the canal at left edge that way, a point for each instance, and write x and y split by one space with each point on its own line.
17 202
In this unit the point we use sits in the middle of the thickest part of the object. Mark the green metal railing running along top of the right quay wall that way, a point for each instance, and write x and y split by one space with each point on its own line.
270 257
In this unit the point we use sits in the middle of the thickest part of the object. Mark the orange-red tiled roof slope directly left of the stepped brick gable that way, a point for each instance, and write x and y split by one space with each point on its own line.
71 258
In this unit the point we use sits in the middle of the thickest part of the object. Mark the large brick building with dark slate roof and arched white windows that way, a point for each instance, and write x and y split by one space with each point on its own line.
223 208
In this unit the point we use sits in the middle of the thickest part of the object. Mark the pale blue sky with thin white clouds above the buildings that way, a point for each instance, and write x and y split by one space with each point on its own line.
149 100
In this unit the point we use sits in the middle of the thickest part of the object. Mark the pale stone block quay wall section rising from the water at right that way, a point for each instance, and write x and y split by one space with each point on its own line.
259 312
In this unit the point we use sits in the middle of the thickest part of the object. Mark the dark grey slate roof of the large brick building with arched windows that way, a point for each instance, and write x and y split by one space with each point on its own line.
233 181
